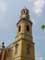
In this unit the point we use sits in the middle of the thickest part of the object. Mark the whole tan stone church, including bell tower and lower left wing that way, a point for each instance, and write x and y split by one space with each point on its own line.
23 46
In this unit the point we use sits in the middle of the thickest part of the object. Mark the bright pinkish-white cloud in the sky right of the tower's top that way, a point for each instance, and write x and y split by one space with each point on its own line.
37 6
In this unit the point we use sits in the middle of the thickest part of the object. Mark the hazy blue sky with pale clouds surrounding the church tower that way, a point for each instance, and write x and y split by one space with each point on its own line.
9 16
